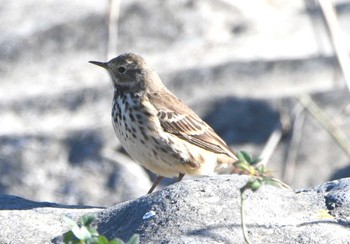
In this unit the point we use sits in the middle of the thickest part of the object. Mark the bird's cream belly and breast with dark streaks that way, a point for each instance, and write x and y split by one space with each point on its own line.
143 138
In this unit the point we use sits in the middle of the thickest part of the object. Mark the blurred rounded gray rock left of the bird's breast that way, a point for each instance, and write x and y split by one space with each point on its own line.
82 172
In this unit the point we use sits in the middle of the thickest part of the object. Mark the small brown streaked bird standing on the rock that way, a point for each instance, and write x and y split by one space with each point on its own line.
156 128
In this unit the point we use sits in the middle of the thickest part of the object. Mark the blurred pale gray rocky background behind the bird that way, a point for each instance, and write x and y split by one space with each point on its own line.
262 73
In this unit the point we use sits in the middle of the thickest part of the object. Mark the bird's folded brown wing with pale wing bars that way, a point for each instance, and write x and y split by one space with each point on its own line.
178 119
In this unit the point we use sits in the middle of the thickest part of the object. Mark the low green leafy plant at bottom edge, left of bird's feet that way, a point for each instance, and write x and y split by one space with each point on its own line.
83 233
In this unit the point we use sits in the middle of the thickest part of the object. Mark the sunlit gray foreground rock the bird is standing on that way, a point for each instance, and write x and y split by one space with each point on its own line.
207 210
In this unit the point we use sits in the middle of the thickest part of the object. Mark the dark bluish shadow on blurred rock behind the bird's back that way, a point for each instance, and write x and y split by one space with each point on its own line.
243 120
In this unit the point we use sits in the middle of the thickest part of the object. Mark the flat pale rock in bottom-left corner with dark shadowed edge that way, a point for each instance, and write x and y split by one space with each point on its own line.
25 221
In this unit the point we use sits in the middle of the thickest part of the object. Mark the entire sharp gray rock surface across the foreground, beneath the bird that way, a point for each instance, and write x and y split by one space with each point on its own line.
206 210
